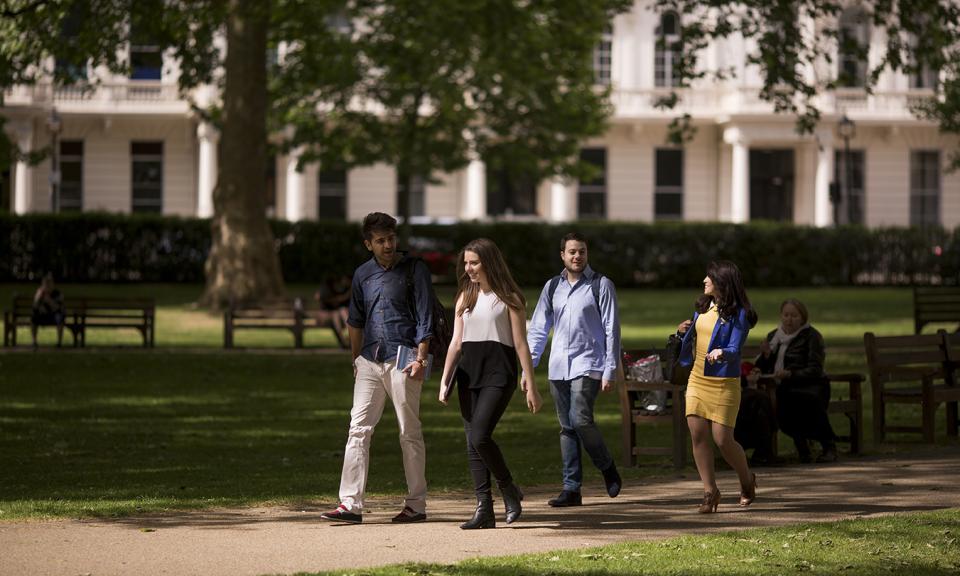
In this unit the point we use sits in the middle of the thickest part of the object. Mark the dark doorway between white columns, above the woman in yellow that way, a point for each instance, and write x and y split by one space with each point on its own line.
771 185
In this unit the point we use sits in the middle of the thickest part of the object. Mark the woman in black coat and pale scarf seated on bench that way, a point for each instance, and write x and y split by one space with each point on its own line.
793 355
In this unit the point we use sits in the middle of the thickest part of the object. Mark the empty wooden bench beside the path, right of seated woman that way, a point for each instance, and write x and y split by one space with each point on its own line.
915 369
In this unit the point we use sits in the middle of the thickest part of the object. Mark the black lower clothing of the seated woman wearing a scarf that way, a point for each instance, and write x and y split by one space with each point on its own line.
802 410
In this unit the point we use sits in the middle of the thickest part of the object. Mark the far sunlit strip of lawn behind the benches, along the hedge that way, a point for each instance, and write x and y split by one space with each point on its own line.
647 316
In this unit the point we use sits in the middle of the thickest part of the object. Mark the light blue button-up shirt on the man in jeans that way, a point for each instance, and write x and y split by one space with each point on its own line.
586 340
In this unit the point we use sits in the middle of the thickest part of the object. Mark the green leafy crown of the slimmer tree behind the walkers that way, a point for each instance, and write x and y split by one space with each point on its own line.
423 85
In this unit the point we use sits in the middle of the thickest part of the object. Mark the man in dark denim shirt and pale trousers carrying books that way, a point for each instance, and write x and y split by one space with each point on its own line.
382 318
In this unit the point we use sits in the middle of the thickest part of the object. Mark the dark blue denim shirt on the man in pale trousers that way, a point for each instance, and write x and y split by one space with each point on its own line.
379 306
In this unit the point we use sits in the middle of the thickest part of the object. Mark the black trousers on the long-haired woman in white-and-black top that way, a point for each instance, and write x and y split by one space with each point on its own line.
481 409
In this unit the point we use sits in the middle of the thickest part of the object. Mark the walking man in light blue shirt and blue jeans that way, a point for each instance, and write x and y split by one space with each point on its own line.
580 306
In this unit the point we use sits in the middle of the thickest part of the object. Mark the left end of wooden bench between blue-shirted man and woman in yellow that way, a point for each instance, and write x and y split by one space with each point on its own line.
633 413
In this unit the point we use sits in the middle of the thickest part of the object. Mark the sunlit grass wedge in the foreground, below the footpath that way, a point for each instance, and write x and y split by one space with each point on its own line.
917 544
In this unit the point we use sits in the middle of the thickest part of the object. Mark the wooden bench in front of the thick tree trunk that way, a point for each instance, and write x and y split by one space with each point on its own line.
288 314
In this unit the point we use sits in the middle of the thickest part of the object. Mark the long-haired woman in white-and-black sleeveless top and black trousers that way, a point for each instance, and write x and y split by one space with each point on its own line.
489 334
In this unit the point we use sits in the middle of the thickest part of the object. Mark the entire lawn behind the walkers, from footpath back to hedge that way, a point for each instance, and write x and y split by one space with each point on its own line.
102 432
